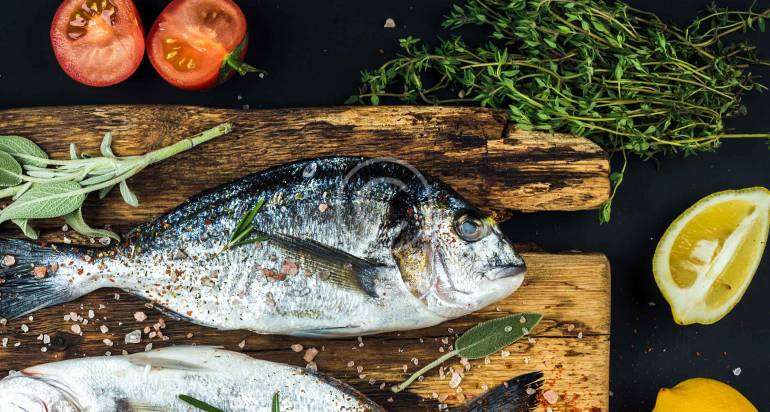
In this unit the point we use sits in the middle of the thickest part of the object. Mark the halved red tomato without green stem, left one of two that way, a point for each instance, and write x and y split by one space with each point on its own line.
98 42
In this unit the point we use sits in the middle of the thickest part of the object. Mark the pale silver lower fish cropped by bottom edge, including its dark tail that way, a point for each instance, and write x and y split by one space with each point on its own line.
229 381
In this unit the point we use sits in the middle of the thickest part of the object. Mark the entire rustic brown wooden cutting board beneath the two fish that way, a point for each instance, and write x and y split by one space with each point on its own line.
493 164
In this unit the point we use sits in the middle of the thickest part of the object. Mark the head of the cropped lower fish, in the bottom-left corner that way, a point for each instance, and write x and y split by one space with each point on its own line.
28 393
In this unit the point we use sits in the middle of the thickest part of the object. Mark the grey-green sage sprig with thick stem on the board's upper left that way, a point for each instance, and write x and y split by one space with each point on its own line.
44 188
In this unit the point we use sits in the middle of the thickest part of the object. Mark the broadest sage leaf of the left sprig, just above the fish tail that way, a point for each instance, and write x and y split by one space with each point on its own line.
45 200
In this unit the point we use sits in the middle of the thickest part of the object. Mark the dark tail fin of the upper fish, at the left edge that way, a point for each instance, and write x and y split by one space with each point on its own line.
28 278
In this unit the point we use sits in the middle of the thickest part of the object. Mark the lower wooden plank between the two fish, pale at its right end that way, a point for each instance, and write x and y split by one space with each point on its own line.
571 345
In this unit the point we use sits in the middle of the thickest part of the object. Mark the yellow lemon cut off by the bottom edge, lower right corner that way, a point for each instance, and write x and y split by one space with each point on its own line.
702 395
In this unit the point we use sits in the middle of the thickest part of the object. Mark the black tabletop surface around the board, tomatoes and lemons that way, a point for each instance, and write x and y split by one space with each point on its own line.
314 51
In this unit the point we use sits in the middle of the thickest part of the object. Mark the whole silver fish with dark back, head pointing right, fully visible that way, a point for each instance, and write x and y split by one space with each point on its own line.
342 246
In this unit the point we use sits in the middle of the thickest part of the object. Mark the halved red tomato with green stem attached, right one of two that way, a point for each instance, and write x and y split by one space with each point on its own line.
197 44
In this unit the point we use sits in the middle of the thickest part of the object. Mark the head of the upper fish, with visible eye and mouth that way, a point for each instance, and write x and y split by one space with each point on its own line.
451 256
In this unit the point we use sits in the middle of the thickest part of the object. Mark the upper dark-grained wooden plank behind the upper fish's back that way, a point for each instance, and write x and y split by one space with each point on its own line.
469 148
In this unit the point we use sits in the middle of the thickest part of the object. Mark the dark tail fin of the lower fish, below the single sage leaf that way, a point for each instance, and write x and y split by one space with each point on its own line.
519 394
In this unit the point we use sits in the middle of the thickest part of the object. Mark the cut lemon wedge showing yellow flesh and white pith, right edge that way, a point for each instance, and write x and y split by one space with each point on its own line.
707 257
